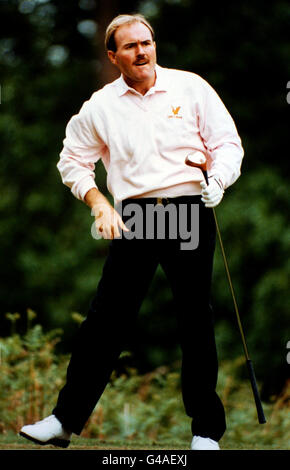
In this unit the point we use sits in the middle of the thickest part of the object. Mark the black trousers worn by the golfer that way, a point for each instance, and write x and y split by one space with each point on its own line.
127 274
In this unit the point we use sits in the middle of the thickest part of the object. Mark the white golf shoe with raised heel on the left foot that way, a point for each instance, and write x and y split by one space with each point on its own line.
47 431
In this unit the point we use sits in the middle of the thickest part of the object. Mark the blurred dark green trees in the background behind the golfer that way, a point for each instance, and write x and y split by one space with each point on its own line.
51 60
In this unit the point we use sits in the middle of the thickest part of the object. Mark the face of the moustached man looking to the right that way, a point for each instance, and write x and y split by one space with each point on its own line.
136 53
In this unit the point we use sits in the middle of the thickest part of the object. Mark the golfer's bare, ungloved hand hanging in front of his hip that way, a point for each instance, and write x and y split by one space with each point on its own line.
108 221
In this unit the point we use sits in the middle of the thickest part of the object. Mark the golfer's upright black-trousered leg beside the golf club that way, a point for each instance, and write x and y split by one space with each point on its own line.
189 273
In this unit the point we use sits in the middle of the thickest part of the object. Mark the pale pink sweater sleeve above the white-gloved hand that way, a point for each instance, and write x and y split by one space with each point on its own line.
220 137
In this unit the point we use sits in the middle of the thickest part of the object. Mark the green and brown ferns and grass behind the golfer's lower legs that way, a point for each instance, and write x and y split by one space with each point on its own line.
136 411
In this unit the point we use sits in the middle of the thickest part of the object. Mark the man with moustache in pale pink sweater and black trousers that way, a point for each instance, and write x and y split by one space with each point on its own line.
142 126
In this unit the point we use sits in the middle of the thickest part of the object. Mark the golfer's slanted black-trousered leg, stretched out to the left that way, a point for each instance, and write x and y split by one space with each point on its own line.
127 273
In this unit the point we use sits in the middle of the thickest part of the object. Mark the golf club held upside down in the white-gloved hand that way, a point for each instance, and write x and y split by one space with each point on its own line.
198 160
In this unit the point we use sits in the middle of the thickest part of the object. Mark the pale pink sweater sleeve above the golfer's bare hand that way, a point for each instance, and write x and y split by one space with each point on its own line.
82 148
